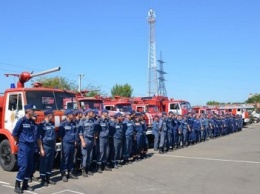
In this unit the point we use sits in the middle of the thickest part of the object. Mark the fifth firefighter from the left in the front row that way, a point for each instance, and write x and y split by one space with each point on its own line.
104 128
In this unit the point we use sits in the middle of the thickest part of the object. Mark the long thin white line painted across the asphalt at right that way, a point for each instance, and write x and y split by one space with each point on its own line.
210 159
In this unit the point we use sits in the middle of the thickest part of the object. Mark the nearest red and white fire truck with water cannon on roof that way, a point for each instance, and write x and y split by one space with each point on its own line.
12 103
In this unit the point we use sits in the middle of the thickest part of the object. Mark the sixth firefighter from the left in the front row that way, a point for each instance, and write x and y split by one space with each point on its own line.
118 133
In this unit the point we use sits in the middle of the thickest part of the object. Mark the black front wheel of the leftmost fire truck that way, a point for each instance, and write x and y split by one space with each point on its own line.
7 159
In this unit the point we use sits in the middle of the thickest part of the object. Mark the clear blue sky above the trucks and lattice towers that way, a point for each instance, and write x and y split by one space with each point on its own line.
211 46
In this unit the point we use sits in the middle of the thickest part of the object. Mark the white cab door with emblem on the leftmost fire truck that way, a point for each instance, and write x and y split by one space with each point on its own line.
14 109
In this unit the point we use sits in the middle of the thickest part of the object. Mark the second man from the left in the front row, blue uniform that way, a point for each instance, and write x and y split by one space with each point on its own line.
46 142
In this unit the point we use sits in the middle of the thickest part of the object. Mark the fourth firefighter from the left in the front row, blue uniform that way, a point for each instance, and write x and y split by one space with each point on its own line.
87 137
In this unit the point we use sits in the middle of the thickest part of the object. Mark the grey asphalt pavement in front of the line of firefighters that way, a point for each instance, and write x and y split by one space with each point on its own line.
225 165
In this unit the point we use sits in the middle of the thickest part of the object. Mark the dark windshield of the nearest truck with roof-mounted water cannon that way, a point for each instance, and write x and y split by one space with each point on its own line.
49 99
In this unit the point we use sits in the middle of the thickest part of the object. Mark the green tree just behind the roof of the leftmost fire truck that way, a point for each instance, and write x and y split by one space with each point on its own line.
57 82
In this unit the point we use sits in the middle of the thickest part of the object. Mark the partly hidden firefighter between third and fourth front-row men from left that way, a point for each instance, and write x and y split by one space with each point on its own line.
77 156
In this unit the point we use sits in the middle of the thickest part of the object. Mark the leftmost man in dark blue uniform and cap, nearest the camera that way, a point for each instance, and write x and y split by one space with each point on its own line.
24 135
